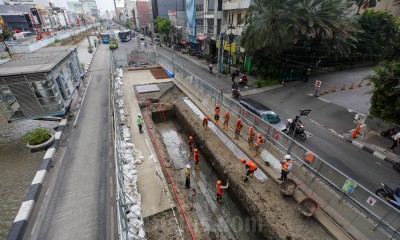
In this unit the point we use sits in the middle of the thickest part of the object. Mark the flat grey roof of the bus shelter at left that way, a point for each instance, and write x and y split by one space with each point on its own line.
42 60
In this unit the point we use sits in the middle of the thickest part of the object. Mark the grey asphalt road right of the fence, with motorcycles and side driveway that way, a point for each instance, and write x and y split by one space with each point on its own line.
324 118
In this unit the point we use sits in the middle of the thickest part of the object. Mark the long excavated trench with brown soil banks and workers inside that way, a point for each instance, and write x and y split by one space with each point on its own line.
250 210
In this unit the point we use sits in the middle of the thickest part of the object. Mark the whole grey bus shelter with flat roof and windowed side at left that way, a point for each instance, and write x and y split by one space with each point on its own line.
44 87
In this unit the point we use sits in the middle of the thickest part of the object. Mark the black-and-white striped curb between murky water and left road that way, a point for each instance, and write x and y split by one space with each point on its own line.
20 223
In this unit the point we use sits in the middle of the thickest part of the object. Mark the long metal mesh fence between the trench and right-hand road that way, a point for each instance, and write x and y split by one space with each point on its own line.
385 216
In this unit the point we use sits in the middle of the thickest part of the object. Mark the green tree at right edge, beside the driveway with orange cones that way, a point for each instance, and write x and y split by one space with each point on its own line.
385 100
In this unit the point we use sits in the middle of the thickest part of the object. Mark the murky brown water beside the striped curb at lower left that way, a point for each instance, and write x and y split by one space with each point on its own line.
18 167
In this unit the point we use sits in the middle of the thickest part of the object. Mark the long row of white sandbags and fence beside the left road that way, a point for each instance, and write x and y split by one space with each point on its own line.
130 222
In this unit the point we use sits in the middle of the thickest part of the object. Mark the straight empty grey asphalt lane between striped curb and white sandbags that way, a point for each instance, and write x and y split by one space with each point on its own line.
77 200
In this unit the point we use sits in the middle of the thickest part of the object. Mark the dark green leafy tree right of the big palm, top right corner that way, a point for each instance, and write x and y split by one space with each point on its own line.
379 35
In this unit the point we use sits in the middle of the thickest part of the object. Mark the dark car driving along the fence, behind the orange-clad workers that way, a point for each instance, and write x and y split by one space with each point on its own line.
264 112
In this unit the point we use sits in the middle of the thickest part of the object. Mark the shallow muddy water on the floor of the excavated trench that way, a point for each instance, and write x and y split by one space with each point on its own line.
214 217
